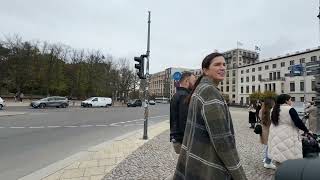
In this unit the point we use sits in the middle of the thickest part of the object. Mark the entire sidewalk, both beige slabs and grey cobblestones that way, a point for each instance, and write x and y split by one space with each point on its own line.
130 157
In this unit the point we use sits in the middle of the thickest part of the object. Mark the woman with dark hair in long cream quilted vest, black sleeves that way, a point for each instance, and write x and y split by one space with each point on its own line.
284 140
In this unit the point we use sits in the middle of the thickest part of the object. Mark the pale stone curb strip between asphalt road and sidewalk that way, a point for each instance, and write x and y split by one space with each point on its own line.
61 164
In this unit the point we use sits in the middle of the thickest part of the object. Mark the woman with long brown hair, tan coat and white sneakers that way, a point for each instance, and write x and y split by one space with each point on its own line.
264 115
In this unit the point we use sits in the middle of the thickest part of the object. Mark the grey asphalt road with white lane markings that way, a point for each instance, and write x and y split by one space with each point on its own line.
41 137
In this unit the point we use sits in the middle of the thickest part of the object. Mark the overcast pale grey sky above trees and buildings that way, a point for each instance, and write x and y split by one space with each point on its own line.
182 31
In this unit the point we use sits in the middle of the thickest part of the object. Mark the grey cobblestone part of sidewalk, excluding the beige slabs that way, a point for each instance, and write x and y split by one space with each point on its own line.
157 160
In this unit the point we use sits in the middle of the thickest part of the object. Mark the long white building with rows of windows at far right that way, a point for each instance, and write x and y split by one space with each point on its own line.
274 75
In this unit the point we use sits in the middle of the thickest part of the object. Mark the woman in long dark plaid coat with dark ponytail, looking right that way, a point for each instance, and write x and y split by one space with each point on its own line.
209 150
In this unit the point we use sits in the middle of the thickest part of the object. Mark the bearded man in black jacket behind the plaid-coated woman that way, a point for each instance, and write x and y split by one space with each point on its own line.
179 110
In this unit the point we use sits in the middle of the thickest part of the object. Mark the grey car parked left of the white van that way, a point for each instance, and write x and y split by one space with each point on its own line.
54 101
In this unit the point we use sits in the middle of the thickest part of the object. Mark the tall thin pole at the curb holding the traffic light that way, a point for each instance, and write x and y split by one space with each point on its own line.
146 107
